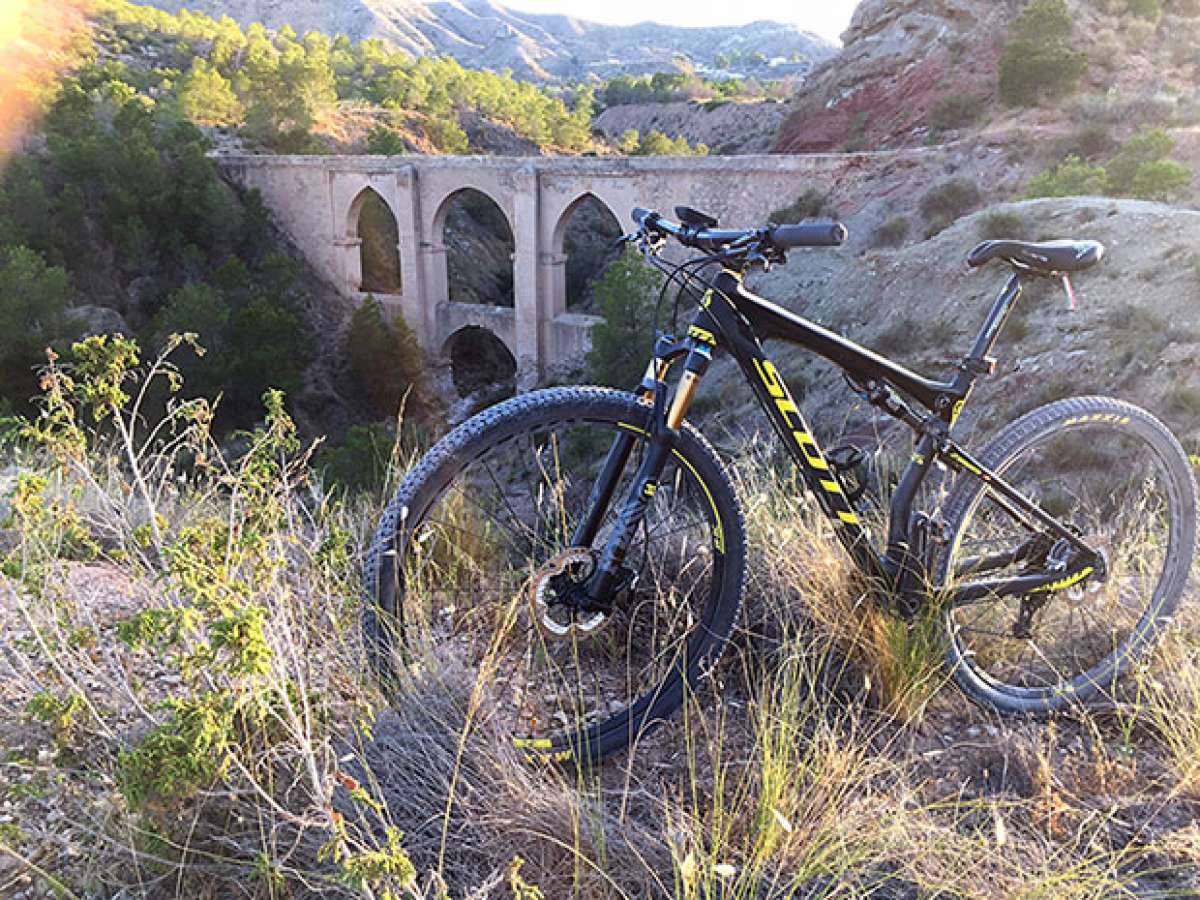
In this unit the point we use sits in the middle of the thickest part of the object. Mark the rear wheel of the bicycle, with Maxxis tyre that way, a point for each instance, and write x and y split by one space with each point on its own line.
1118 477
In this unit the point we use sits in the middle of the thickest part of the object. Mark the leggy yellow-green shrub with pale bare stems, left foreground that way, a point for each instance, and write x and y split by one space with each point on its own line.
220 591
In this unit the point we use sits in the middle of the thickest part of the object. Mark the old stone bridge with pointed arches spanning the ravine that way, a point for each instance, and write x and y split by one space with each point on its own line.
319 200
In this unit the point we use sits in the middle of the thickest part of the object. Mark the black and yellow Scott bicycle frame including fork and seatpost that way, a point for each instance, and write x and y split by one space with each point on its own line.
737 321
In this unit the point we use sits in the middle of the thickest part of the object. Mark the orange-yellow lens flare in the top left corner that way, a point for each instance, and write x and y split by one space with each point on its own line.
39 39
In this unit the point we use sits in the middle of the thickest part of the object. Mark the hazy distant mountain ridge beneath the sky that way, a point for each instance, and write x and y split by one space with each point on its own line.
482 34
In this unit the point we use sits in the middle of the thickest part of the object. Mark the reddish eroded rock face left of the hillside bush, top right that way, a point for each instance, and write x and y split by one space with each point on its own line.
899 61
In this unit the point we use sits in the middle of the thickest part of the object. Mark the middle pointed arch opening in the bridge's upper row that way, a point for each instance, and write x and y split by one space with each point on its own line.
479 249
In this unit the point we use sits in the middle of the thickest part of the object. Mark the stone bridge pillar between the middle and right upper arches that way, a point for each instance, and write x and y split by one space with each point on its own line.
527 297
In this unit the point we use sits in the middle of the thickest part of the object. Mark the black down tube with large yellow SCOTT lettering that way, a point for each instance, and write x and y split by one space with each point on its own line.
788 421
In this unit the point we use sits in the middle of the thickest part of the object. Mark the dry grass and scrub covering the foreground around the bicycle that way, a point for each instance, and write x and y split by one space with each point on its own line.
835 765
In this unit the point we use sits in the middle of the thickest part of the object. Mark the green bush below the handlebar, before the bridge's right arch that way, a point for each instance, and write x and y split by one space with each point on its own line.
621 345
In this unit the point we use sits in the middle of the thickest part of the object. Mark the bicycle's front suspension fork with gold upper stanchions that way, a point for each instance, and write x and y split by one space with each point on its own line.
664 434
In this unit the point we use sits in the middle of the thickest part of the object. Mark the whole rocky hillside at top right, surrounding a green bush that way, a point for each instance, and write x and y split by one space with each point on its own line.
923 71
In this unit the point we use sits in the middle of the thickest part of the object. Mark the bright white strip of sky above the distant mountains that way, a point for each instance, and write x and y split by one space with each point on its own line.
825 17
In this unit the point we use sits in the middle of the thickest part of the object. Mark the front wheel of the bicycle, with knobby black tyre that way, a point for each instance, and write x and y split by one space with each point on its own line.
475 569
